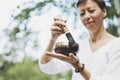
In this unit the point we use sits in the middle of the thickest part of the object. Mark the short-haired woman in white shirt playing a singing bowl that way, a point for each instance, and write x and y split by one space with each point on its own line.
99 55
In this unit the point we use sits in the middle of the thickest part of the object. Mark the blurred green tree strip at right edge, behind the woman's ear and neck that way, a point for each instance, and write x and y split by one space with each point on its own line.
113 12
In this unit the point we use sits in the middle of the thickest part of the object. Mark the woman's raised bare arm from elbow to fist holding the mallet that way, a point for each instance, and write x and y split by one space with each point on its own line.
56 31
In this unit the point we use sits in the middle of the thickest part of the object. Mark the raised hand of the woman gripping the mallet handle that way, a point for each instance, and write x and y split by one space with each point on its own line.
57 28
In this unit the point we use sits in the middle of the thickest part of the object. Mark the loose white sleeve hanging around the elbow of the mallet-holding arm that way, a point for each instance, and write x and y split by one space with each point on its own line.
54 66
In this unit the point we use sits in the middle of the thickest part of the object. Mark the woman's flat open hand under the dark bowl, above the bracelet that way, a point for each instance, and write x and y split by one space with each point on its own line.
72 59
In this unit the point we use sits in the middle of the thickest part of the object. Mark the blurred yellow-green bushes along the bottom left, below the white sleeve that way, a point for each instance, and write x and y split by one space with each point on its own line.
29 70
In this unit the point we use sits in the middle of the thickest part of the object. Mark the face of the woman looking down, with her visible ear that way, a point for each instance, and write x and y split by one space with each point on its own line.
91 15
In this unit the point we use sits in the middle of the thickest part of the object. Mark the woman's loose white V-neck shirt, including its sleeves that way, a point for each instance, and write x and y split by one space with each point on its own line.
104 63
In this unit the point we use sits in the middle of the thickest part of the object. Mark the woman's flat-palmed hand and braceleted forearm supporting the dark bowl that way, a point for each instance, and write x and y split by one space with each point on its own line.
74 61
